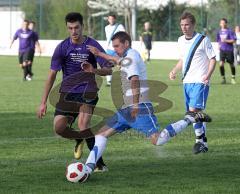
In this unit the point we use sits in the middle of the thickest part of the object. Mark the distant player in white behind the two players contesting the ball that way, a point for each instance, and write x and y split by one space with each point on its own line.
112 28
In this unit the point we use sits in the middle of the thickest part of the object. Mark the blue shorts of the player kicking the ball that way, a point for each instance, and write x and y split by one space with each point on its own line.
145 122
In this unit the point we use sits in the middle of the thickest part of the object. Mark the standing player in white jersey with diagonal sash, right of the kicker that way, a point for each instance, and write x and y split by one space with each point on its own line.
197 69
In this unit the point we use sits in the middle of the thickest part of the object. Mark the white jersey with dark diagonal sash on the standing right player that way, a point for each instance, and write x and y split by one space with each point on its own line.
200 61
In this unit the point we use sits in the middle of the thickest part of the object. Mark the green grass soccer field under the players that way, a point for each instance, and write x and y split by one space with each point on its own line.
33 159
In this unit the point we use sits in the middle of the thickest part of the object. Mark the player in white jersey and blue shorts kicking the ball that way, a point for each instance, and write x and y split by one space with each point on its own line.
137 111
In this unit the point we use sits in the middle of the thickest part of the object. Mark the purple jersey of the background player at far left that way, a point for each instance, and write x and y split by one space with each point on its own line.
25 39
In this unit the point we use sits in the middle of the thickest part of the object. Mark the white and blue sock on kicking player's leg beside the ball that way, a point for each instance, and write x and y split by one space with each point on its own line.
96 153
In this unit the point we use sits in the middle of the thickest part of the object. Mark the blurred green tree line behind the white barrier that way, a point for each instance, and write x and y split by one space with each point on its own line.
49 16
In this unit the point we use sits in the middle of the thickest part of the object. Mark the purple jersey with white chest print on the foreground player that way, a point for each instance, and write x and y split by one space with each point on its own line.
68 57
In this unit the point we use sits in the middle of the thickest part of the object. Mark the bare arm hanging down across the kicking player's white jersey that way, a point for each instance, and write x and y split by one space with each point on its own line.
135 86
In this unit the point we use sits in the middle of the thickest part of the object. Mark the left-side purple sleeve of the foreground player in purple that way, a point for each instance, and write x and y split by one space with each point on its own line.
57 60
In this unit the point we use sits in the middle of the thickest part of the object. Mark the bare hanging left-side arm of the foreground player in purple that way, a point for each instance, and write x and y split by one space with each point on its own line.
48 86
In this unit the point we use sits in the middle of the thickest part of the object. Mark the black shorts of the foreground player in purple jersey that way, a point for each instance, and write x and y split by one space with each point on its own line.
69 103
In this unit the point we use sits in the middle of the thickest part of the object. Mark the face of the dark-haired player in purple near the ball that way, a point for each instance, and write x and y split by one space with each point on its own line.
75 30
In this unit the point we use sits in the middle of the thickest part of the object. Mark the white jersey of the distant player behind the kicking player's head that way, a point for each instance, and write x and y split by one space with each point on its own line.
110 30
